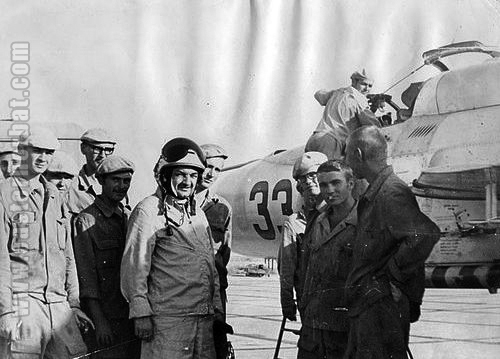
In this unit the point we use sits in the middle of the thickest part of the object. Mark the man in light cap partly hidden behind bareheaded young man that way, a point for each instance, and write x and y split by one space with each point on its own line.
292 251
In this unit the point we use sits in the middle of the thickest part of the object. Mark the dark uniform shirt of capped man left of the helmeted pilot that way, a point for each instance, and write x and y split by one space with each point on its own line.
99 244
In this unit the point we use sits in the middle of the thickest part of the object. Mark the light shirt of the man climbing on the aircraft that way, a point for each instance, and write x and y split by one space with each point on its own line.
346 109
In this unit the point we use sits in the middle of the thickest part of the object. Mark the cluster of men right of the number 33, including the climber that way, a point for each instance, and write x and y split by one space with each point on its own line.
354 258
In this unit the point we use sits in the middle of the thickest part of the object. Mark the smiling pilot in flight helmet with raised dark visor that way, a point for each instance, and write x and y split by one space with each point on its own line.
168 273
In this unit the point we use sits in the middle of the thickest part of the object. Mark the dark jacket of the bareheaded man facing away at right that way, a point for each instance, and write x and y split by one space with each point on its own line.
394 238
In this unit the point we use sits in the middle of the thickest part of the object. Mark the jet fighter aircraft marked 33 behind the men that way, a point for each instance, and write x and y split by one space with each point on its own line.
446 145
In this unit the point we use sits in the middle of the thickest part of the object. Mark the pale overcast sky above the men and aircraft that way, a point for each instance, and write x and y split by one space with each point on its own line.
238 73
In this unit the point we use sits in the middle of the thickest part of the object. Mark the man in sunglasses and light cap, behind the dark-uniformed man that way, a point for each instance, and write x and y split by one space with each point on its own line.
96 145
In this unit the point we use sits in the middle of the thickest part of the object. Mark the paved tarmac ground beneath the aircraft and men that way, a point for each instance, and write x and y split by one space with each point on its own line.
455 323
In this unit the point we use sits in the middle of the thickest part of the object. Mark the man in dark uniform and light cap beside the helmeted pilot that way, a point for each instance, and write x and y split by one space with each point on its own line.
99 243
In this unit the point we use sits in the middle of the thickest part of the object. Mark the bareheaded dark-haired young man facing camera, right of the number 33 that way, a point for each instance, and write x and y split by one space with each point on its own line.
325 326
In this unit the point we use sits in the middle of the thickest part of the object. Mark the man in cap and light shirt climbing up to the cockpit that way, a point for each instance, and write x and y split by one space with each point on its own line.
346 109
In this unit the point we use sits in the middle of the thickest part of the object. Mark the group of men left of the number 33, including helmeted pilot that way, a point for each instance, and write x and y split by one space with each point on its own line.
75 260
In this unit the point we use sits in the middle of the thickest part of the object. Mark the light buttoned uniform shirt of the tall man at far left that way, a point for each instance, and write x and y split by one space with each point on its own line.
36 254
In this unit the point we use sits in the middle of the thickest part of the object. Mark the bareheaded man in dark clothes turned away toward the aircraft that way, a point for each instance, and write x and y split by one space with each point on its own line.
394 238
